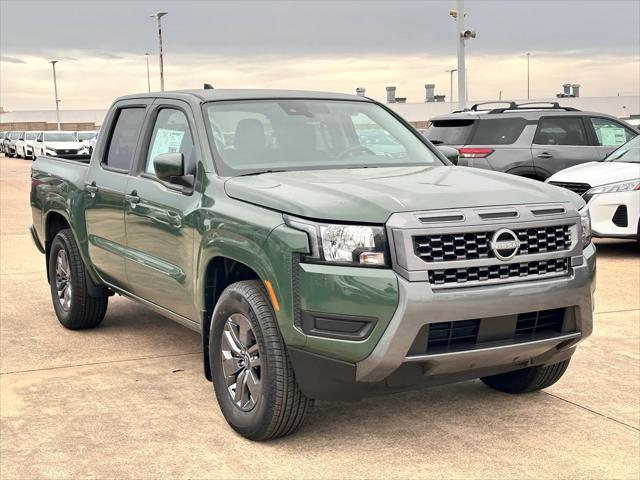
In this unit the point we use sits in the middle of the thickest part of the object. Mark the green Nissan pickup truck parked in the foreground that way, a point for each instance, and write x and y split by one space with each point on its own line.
314 265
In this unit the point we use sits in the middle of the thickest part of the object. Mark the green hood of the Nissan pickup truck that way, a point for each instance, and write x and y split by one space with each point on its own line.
372 194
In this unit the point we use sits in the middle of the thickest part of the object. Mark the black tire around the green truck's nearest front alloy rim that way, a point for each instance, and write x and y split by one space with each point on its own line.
256 420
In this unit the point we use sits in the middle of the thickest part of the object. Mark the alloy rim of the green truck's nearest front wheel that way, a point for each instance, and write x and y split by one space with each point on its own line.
241 363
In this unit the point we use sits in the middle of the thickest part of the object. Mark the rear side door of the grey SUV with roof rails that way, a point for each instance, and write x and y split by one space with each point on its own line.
561 142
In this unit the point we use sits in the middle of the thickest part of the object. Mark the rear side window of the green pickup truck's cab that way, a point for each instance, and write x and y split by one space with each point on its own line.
124 138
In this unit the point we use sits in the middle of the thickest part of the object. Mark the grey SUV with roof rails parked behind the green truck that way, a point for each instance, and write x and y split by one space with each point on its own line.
534 140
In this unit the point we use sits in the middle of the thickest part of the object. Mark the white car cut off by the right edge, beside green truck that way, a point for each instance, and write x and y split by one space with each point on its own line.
611 189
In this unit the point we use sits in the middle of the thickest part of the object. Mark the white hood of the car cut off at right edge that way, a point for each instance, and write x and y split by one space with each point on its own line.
598 173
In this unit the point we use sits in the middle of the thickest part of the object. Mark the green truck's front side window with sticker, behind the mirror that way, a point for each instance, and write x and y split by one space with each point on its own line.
171 134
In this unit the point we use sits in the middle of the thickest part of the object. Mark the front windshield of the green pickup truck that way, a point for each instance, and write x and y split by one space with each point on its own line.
297 134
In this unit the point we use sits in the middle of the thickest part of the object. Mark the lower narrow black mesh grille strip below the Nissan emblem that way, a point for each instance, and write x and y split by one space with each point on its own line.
497 272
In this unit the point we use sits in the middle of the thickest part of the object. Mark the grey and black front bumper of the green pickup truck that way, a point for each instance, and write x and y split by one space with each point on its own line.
391 366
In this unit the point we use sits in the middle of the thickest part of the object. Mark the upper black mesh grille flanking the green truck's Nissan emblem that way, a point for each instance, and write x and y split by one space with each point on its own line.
476 245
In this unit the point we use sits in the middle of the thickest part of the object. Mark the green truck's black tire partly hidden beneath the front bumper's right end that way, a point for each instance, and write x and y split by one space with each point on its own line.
527 379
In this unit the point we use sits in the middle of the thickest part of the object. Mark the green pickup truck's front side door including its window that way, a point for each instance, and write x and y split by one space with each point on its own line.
160 229
